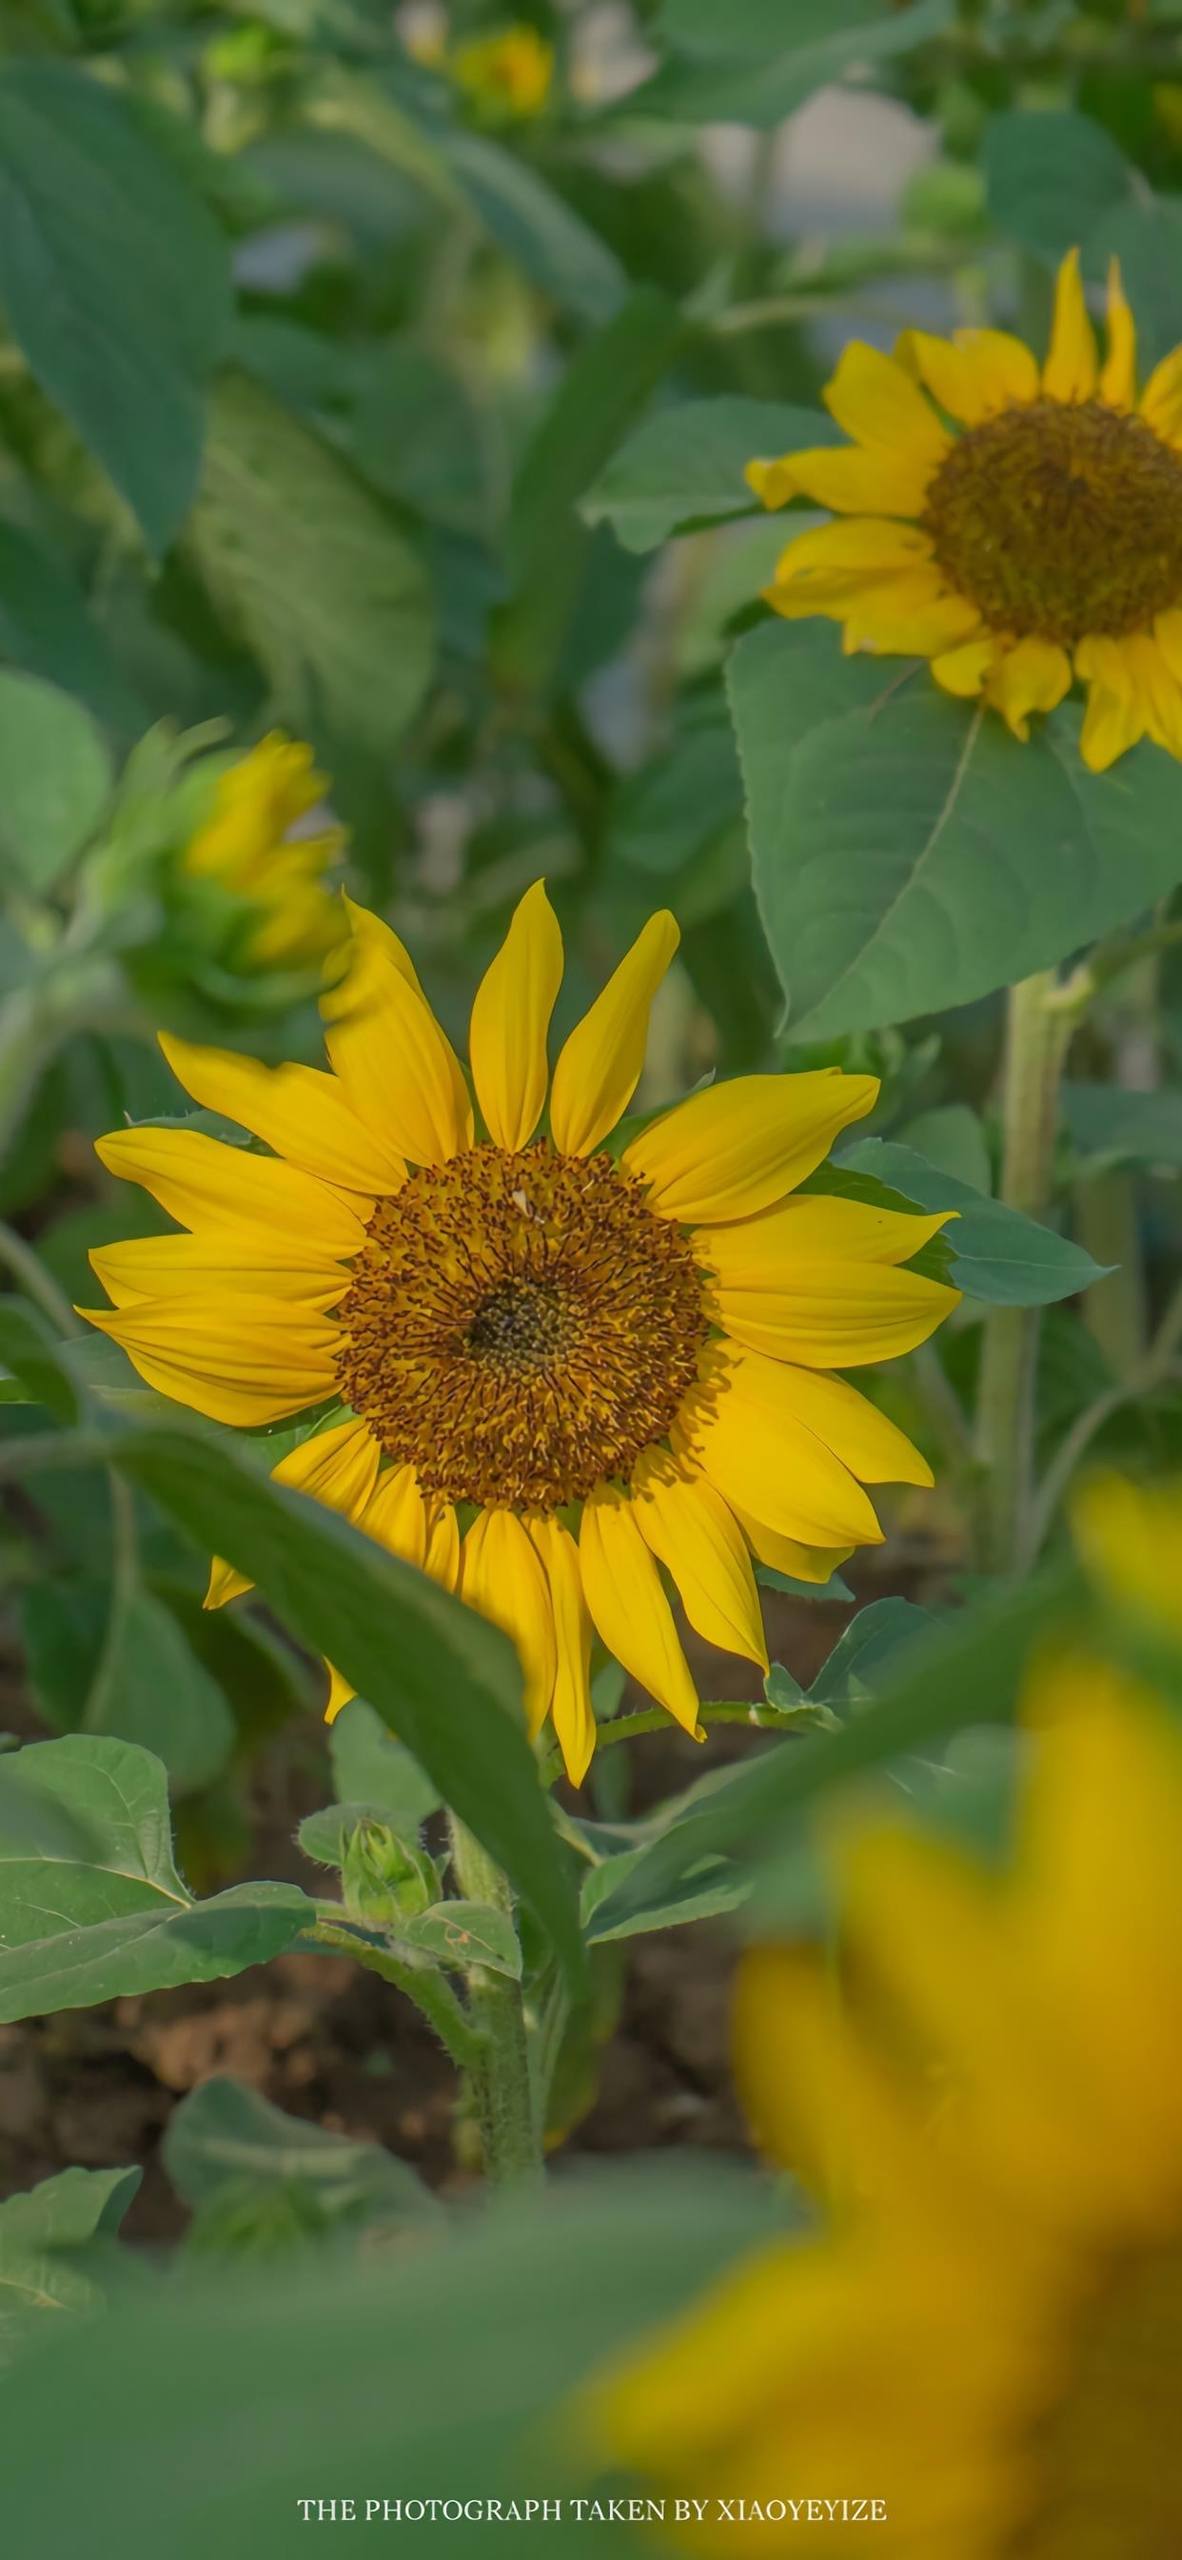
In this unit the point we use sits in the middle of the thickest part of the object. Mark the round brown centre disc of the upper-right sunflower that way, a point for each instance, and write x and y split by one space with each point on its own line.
1060 521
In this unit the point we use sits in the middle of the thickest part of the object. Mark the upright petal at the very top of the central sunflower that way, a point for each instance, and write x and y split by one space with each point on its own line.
513 1018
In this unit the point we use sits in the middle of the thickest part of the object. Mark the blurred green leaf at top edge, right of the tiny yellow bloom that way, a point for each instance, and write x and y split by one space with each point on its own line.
771 65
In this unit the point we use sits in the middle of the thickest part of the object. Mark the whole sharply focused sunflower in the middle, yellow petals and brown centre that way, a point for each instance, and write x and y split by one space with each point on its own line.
541 1371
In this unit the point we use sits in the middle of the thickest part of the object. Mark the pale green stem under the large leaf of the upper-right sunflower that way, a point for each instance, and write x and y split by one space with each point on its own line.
1035 1053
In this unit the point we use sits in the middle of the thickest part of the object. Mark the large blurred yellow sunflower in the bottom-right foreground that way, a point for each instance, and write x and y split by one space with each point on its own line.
989 2333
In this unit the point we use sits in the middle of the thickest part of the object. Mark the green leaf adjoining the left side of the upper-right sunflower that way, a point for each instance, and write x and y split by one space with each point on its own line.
684 467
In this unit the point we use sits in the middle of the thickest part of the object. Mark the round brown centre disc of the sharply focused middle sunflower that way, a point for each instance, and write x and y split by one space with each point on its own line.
521 1327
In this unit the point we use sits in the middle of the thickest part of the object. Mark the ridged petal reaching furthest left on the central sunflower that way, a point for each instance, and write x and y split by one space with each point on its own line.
239 1361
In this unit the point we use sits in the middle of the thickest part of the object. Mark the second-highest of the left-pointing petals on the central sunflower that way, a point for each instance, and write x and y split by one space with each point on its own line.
203 1181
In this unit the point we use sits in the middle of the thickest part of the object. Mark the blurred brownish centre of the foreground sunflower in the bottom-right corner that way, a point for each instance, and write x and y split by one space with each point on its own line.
1109 2454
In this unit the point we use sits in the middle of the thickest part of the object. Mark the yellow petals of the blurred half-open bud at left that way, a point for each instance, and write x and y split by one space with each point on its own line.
252 849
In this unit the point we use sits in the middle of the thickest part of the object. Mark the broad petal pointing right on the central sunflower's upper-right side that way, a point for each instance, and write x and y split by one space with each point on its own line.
738 1148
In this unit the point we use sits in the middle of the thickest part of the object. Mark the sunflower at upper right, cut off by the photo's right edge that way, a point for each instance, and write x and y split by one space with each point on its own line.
1007 524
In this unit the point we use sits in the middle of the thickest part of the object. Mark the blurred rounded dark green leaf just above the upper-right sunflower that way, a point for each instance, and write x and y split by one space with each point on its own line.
1050 178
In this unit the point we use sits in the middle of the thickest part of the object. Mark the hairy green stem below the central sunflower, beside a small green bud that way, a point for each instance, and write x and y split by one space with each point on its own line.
500 2083
